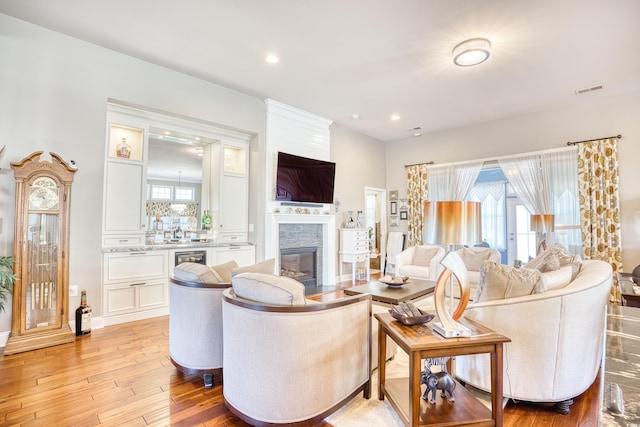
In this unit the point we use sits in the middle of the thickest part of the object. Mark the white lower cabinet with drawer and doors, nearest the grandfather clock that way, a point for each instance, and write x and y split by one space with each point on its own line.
135 285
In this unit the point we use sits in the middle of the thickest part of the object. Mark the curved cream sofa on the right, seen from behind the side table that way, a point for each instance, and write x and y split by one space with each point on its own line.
557 339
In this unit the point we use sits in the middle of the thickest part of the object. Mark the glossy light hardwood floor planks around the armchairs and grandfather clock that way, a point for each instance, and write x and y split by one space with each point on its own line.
122 375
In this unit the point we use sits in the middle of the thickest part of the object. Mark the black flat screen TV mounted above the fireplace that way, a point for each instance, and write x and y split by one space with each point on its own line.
300 179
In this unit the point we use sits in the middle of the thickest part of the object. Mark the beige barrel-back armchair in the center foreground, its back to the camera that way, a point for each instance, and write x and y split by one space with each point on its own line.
288 360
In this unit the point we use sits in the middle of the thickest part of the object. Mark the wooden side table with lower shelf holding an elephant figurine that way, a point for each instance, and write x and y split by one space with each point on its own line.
420 342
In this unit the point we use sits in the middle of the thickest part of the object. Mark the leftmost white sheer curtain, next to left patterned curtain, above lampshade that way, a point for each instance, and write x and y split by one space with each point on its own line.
452 182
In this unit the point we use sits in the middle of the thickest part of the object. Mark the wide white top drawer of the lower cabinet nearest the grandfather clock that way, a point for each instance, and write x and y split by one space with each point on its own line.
135 266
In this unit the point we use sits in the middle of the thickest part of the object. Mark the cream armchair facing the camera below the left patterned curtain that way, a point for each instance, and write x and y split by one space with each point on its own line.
420 262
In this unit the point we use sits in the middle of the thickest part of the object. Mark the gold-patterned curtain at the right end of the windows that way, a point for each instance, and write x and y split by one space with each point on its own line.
599 205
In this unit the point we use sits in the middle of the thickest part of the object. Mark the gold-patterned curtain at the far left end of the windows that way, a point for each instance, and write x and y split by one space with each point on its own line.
417 188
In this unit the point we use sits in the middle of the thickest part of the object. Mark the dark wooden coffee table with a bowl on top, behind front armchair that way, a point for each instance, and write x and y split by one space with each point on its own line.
381 292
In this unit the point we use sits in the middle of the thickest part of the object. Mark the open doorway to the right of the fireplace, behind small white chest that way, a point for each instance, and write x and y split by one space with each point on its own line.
376 223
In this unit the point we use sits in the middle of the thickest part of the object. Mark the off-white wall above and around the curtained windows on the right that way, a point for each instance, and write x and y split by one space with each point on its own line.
592 117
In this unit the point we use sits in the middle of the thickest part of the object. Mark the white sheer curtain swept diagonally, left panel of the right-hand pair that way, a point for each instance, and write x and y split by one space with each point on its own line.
526 177
